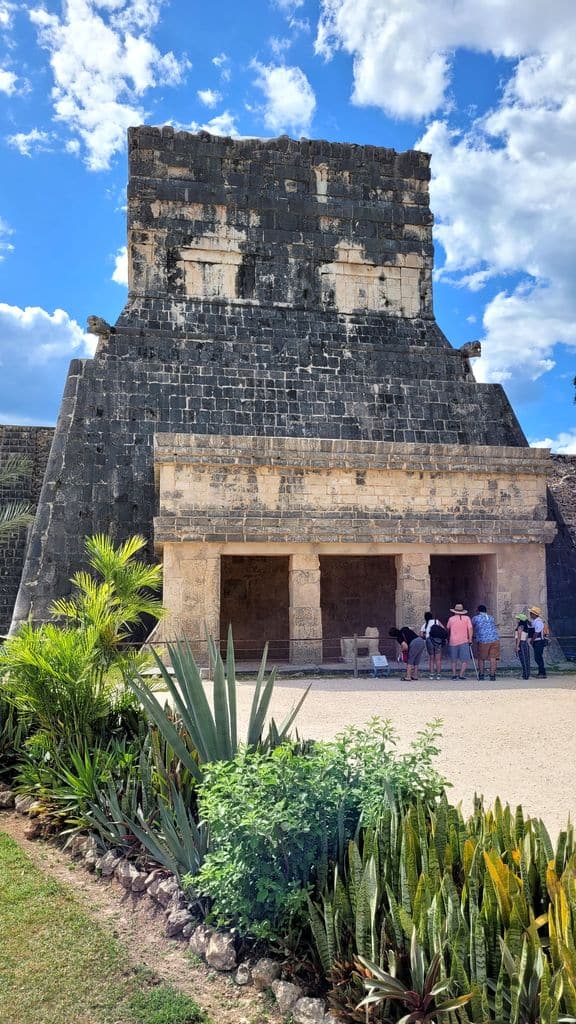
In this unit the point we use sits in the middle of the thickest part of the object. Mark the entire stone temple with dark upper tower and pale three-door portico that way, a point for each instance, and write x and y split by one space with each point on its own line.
278 412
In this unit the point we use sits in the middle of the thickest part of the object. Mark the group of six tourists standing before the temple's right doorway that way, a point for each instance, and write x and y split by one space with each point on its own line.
459 635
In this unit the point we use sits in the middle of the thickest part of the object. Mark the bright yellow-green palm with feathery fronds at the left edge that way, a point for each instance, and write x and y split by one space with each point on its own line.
69 680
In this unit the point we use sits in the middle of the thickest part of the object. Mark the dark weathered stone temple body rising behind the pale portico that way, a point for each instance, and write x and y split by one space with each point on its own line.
277 288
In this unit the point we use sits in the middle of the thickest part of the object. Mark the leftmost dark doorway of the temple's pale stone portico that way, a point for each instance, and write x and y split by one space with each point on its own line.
255 599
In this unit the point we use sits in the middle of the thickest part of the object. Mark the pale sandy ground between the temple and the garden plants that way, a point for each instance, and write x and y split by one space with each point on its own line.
505 739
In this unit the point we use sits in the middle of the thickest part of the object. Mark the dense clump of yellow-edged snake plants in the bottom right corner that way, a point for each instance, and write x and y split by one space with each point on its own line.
491 895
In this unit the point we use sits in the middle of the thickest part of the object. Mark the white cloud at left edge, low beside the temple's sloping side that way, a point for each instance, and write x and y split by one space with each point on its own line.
34 336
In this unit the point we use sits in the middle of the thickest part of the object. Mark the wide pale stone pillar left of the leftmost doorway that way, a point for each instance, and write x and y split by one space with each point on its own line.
192 596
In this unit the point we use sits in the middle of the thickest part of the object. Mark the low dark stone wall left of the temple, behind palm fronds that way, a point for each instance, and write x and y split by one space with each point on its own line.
34 444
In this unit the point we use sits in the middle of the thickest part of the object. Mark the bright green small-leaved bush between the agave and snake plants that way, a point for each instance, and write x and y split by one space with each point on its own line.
279 820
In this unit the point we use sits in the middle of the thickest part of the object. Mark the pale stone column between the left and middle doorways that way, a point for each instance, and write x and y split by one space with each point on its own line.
306 614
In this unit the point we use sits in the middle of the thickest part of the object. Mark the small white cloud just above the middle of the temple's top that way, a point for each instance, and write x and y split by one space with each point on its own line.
291 102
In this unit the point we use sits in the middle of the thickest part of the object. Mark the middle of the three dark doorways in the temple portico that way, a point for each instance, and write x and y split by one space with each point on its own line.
356 591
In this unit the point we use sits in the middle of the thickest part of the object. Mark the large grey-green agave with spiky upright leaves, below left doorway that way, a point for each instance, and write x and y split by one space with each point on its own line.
201 734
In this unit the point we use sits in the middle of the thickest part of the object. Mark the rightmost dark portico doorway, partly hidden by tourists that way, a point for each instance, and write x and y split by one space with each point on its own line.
470 580
